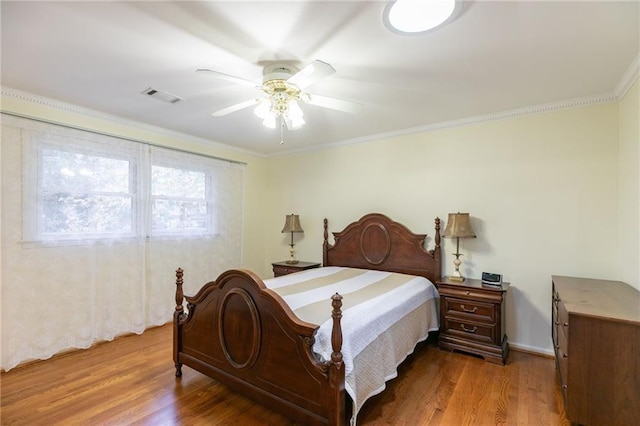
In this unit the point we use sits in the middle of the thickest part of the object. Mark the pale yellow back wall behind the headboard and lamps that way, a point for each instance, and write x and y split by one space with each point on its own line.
541 191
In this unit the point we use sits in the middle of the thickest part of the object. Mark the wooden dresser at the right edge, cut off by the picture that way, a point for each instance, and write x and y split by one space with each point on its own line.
596 337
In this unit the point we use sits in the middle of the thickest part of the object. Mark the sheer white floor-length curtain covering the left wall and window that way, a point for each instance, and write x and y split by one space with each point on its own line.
111 271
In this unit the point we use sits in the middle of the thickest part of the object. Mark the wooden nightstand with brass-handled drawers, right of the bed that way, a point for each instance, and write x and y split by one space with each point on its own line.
472 319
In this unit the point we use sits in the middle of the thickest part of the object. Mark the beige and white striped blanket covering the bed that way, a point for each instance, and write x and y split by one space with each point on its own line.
384 316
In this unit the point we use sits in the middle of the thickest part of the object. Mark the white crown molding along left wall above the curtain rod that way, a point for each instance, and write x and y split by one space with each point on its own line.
63 106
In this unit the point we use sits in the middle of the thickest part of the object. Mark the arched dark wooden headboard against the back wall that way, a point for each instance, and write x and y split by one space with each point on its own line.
377 242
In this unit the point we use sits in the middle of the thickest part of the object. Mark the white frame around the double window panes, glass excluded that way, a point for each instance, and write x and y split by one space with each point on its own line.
142 157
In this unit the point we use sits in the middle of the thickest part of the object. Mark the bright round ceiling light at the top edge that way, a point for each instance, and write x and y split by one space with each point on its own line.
419 16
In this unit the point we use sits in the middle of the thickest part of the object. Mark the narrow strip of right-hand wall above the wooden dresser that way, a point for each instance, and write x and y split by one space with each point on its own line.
629 207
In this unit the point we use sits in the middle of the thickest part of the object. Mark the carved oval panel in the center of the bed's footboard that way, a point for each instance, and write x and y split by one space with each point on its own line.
239 328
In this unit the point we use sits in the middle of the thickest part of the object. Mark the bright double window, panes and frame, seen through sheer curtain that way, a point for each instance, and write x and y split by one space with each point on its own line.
106 189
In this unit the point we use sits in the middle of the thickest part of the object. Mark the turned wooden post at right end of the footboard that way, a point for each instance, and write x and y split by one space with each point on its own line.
336 366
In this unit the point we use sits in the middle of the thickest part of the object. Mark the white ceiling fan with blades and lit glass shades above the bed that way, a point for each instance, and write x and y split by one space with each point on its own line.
282 88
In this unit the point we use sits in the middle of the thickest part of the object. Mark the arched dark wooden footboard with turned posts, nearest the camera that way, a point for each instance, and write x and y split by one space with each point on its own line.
240 333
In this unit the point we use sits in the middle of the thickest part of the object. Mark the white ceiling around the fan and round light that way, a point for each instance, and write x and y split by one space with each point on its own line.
494 57
